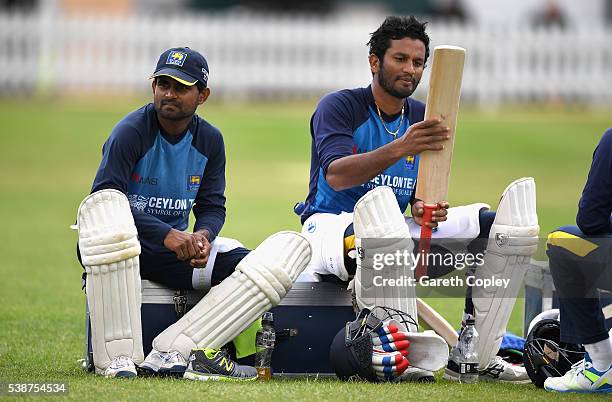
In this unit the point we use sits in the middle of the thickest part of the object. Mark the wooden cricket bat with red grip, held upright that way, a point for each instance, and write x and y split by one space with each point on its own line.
434 166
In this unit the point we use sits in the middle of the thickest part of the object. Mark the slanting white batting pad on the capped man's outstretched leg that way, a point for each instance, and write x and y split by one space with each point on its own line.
259 283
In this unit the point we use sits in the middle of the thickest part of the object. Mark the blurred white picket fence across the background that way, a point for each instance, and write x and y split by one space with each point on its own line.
298 56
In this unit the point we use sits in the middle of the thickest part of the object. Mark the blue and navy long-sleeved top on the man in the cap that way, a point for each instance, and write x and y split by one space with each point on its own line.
165 176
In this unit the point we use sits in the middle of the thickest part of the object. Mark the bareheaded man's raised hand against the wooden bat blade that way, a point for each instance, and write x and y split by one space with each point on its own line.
427 135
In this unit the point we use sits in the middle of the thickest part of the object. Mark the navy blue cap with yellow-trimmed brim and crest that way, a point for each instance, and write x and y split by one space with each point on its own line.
185 65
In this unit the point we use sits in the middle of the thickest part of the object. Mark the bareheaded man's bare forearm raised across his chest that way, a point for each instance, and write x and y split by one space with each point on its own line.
354 170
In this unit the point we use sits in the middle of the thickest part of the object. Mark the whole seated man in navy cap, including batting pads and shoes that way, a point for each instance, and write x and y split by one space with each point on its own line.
159 163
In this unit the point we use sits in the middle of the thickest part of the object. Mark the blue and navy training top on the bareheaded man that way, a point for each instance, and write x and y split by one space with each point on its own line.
344 123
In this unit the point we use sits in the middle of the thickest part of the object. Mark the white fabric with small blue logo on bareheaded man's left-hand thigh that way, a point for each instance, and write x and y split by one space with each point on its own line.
325 232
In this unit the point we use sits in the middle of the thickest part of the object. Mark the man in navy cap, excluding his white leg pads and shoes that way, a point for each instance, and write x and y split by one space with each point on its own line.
168 160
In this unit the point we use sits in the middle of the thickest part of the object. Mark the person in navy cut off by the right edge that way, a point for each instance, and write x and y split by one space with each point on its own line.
580 263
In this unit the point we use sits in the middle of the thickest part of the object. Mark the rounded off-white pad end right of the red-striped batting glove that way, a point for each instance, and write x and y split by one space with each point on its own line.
428 350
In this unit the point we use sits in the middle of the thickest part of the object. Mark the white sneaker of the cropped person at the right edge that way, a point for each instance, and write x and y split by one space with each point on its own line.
582 378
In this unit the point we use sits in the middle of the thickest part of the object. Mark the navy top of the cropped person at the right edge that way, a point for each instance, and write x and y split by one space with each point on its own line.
595 205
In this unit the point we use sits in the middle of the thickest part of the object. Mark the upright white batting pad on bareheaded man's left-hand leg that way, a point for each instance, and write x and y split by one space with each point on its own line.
377 216
